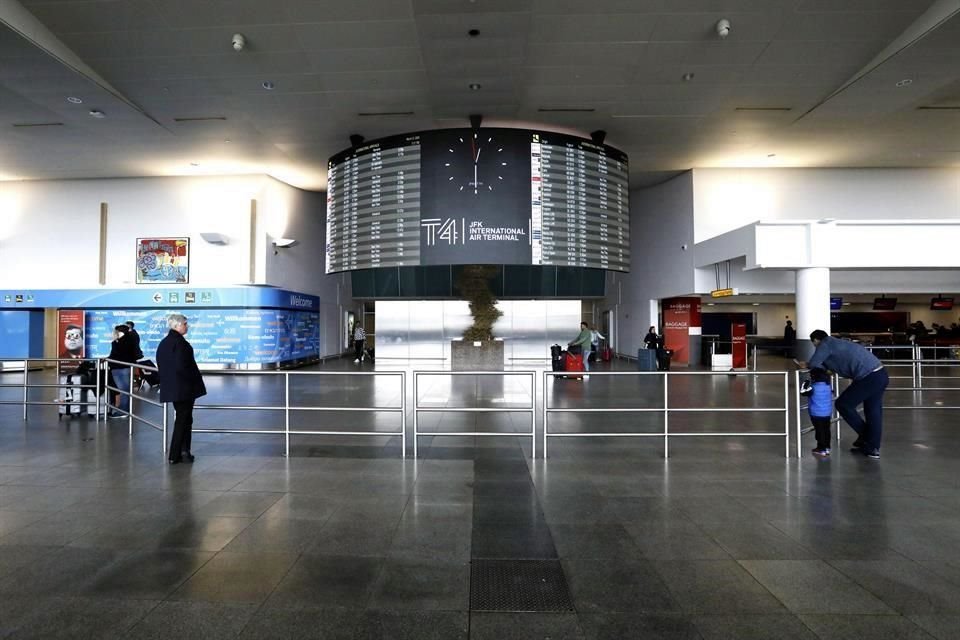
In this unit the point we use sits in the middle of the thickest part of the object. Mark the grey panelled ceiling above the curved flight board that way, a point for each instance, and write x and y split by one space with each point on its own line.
653 73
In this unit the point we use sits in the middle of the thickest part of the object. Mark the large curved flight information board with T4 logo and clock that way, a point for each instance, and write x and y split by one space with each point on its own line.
485 196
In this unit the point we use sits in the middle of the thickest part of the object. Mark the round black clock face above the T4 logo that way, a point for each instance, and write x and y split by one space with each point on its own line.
476 163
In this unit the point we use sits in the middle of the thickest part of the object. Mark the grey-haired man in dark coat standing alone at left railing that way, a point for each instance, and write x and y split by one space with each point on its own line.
180 383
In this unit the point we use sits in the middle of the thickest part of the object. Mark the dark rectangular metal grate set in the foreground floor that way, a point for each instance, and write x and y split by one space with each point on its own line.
518 585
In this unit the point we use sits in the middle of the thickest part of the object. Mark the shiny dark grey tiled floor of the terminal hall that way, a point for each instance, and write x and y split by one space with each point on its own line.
727 538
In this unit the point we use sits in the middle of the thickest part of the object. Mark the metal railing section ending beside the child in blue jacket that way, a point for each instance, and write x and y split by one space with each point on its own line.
666 410
